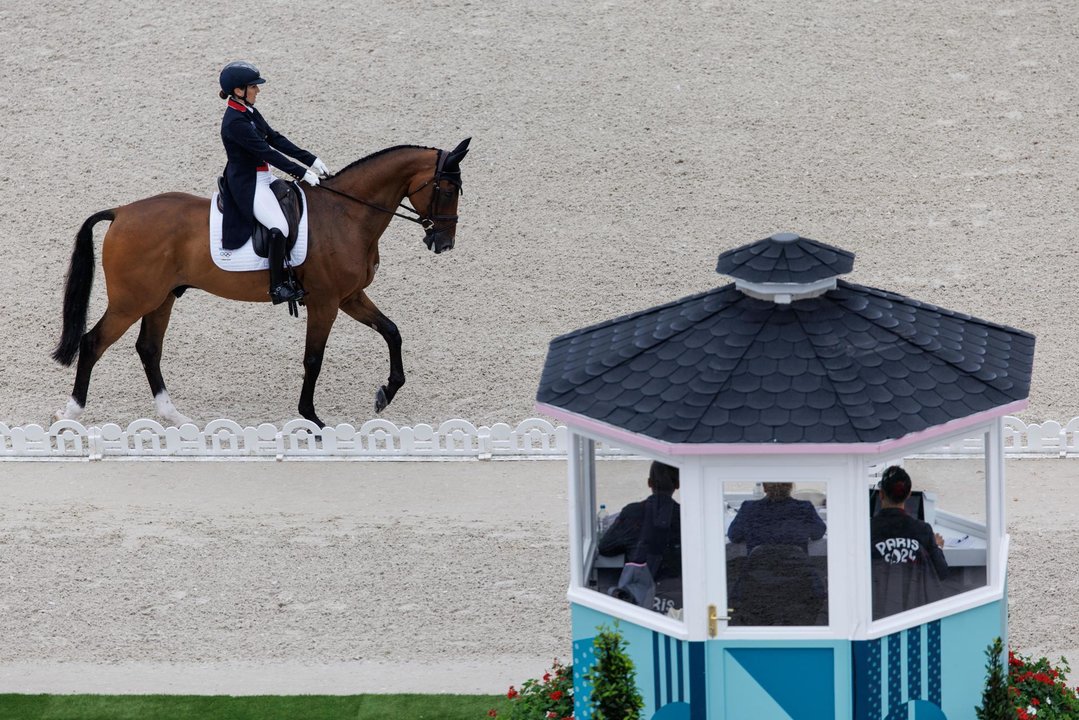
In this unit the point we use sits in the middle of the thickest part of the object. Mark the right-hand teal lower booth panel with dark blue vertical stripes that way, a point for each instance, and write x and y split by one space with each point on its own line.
932 672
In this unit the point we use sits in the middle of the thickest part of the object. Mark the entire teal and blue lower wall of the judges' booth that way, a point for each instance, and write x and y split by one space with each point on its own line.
931 672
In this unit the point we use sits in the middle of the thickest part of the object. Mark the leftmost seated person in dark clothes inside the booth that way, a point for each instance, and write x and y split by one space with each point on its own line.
650 536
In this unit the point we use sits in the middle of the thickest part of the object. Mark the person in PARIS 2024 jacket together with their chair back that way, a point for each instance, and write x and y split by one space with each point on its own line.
907 556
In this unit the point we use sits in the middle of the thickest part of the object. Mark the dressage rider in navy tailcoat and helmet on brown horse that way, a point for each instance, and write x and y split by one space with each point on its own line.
252 146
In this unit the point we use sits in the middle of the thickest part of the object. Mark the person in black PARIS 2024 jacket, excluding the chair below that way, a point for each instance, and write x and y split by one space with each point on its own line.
896 537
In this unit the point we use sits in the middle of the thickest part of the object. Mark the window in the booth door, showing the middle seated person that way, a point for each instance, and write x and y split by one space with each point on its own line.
776 553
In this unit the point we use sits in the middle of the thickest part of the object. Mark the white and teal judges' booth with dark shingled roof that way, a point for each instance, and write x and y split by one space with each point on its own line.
783 594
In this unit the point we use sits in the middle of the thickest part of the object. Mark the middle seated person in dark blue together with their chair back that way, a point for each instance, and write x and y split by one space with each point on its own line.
777 583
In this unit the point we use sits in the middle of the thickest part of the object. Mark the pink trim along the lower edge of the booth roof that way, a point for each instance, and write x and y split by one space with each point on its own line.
646 443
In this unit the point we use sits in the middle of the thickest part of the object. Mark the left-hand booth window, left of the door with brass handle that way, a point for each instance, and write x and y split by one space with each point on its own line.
638 536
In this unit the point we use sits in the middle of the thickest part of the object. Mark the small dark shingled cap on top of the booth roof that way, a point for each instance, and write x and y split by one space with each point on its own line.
786 259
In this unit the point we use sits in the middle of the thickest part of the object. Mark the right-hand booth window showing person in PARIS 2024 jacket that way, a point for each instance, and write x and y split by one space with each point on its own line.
928 534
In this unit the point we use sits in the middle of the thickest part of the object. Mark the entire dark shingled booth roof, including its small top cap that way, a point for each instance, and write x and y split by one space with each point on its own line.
850 365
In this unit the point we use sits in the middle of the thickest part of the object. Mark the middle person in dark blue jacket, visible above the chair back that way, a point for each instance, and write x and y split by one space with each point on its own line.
776 520
